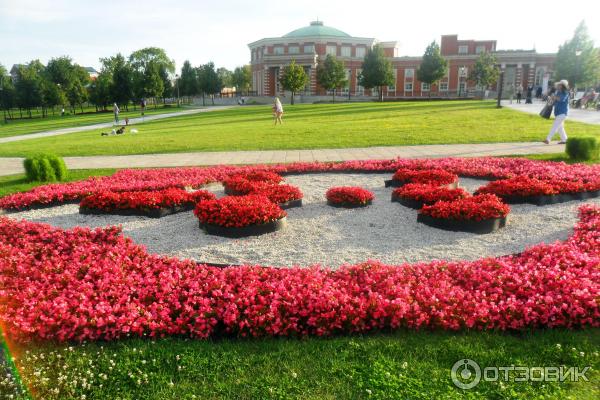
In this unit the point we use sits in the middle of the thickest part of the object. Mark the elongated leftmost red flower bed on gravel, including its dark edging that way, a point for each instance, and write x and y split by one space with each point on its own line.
154 204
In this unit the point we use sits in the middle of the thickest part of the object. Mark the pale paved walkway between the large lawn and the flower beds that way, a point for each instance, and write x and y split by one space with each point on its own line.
10 166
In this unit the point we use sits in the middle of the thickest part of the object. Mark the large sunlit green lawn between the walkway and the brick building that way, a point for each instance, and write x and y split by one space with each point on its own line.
311 127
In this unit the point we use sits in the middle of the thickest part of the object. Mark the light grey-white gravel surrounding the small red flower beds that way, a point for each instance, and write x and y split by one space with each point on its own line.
319 234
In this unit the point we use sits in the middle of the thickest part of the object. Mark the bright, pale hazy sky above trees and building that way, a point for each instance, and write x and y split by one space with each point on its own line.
219 31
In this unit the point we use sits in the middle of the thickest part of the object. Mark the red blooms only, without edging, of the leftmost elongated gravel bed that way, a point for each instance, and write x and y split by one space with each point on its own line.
166 198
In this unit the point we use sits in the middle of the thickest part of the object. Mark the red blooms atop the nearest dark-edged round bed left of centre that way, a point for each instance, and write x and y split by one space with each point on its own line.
238 211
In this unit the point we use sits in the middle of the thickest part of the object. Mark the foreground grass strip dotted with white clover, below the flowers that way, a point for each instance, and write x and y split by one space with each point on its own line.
403 365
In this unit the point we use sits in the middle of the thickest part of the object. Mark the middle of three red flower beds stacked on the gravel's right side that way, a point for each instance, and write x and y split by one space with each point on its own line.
415 195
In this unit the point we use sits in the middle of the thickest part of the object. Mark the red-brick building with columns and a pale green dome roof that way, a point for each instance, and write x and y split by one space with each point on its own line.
305 45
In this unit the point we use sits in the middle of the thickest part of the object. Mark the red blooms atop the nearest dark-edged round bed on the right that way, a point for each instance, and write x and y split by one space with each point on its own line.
474 208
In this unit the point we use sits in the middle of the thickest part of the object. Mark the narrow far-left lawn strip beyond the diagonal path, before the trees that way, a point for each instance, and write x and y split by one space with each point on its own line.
37 124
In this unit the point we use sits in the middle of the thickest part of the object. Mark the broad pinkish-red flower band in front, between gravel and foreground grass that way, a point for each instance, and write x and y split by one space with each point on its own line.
82 284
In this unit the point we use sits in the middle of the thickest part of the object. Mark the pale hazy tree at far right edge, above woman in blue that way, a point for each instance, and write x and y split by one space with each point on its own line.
577 60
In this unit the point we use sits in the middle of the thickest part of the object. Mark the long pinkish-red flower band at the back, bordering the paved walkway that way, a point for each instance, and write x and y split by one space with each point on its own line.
195 177
